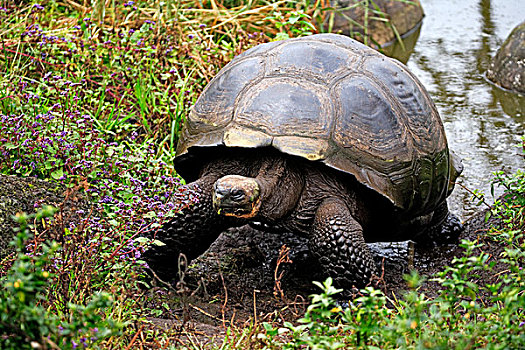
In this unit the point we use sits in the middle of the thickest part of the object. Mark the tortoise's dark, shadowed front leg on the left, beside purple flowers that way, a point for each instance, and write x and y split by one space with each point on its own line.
190 232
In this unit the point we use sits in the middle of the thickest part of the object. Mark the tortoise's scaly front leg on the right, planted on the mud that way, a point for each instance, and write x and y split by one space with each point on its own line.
336 239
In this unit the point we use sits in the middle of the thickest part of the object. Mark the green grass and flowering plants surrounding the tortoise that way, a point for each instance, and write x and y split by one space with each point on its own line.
98 107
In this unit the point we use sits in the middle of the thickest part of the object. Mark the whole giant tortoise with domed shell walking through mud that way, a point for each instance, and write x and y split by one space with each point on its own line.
321 136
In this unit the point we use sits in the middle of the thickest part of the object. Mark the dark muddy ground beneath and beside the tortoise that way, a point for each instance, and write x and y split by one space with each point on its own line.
242 278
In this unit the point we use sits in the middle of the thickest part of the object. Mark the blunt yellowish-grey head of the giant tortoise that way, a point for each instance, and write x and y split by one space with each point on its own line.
235 195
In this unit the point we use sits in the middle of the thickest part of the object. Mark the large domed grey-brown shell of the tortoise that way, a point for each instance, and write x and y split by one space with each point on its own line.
330 99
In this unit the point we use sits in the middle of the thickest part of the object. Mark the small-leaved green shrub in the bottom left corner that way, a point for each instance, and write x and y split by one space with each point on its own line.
25 321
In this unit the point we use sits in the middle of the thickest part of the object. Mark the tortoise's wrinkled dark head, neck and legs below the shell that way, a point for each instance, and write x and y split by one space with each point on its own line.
336 213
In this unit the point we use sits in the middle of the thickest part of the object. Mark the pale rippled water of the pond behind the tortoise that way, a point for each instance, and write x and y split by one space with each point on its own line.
484 124
